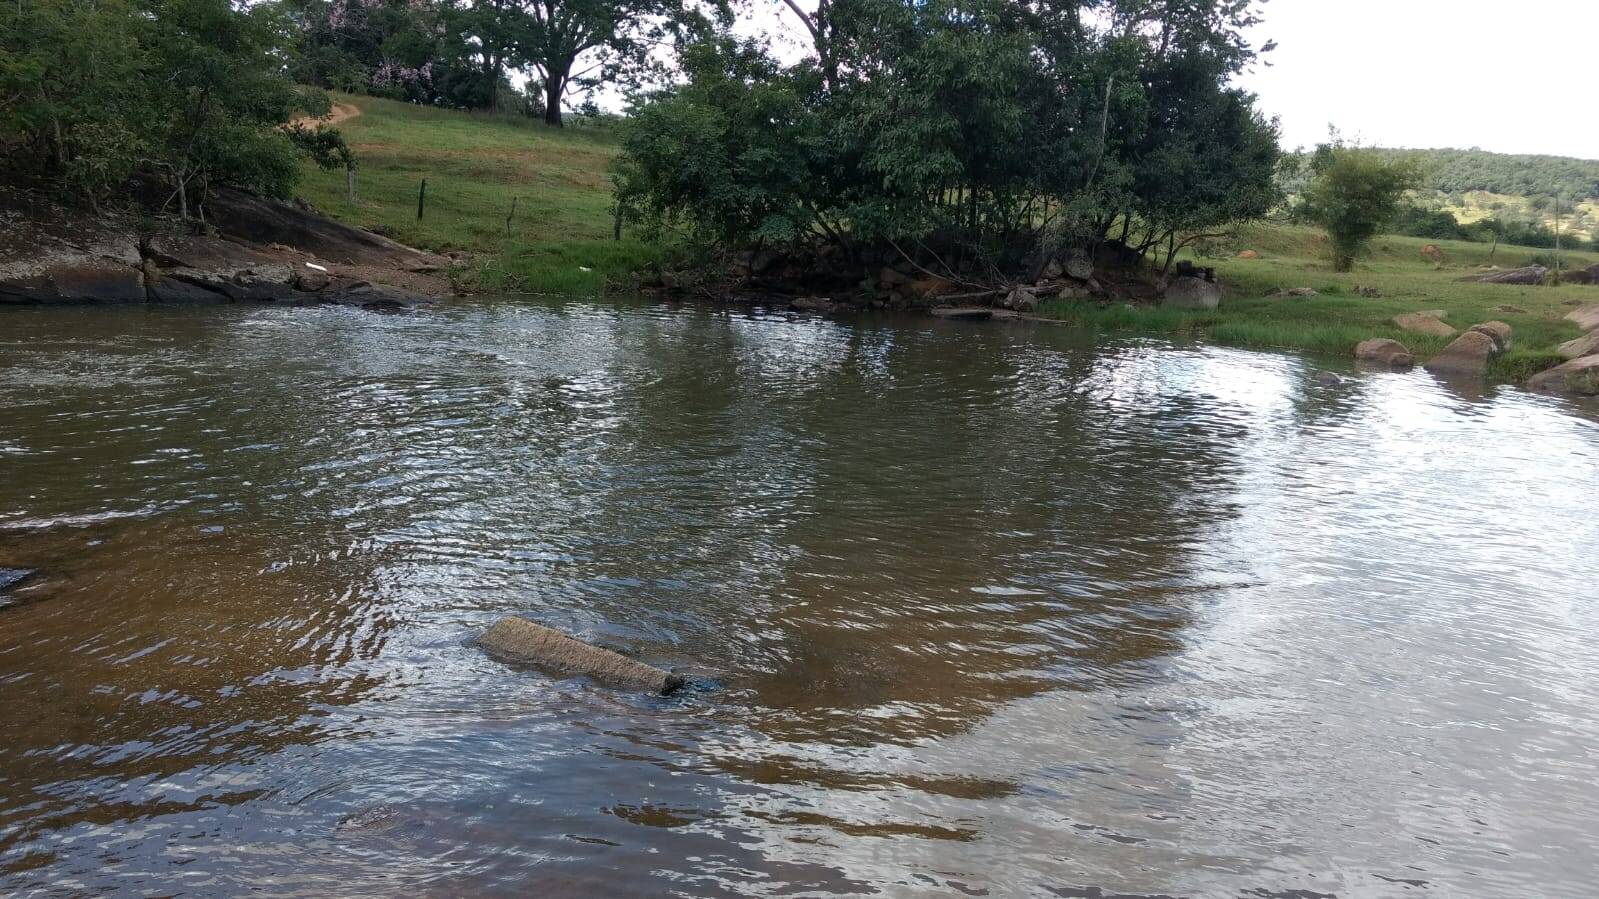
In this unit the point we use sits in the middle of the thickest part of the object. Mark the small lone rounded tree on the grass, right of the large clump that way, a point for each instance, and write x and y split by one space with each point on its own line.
1354 194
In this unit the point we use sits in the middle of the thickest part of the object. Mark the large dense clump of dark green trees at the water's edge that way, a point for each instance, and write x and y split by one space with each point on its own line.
991 130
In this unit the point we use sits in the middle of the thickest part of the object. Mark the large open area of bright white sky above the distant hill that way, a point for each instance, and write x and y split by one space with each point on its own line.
1513 78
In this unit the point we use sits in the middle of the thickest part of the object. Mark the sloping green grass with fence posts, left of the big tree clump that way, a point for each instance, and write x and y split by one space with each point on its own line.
476 164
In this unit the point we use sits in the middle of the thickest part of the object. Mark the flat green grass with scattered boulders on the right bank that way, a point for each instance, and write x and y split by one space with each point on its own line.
1341 318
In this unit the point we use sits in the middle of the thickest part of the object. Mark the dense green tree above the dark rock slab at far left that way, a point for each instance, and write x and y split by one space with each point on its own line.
191 92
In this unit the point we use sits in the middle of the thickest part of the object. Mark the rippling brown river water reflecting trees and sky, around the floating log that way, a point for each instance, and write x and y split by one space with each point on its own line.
978 609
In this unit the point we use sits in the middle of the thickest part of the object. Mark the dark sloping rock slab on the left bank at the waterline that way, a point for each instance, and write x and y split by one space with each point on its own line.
50 255
